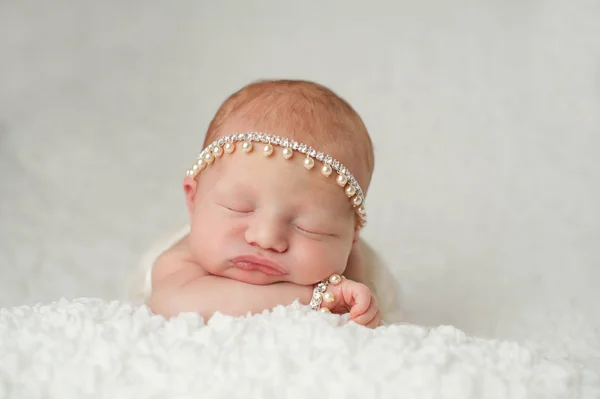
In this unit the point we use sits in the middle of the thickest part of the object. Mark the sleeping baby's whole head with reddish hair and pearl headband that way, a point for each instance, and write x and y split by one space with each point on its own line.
262 211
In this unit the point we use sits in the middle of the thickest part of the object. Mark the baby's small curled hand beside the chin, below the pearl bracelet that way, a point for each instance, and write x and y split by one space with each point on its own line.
356 298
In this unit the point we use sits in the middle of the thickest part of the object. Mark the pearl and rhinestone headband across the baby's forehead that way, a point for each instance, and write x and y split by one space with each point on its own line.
227 145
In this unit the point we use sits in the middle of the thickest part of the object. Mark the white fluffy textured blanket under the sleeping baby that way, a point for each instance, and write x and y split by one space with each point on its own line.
93 348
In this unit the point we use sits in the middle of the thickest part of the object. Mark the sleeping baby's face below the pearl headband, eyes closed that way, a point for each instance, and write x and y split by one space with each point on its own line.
262 220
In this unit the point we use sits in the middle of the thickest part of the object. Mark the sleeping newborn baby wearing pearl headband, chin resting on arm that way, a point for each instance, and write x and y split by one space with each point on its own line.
276 206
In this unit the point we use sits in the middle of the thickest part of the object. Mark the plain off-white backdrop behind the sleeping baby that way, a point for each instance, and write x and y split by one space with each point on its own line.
485 119
